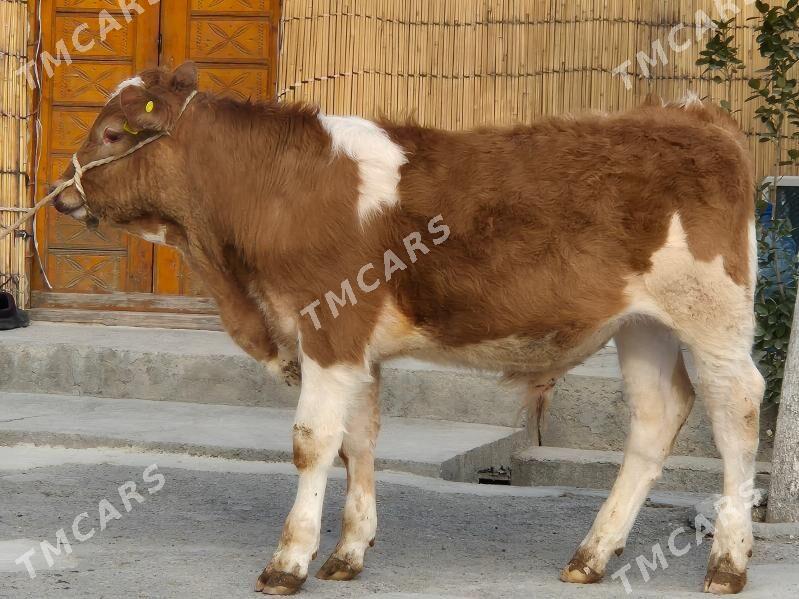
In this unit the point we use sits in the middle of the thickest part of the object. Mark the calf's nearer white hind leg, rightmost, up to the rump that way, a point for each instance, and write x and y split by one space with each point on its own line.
713 316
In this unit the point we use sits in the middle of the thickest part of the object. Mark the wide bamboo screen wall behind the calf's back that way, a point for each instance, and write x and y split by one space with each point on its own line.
463 63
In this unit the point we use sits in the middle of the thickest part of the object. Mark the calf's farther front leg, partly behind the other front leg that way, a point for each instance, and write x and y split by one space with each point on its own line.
360 509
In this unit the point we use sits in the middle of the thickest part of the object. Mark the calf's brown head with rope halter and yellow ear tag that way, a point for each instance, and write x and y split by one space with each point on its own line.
146 189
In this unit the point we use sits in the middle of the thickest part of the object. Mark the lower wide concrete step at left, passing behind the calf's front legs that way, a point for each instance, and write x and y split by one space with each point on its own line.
450 450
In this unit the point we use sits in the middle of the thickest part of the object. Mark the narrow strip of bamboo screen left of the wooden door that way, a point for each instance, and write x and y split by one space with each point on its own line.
14 121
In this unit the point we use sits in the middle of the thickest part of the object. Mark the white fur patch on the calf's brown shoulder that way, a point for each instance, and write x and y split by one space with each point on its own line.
378 158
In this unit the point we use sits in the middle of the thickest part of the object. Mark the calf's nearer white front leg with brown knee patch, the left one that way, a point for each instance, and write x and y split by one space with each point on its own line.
326 397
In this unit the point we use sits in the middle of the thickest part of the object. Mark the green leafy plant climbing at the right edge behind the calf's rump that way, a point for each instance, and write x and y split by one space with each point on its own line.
777 30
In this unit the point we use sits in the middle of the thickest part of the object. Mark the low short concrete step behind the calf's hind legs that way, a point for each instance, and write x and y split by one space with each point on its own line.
592 469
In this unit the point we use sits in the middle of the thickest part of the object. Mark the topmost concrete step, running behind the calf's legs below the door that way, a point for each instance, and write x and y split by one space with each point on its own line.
206 367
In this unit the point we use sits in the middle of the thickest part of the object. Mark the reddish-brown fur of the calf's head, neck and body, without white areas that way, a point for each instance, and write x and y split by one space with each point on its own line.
556 215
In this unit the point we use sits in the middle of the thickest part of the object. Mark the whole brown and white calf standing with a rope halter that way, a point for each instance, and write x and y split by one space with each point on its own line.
345 242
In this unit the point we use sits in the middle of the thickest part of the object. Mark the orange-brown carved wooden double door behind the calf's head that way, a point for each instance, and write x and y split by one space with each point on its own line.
234 43
